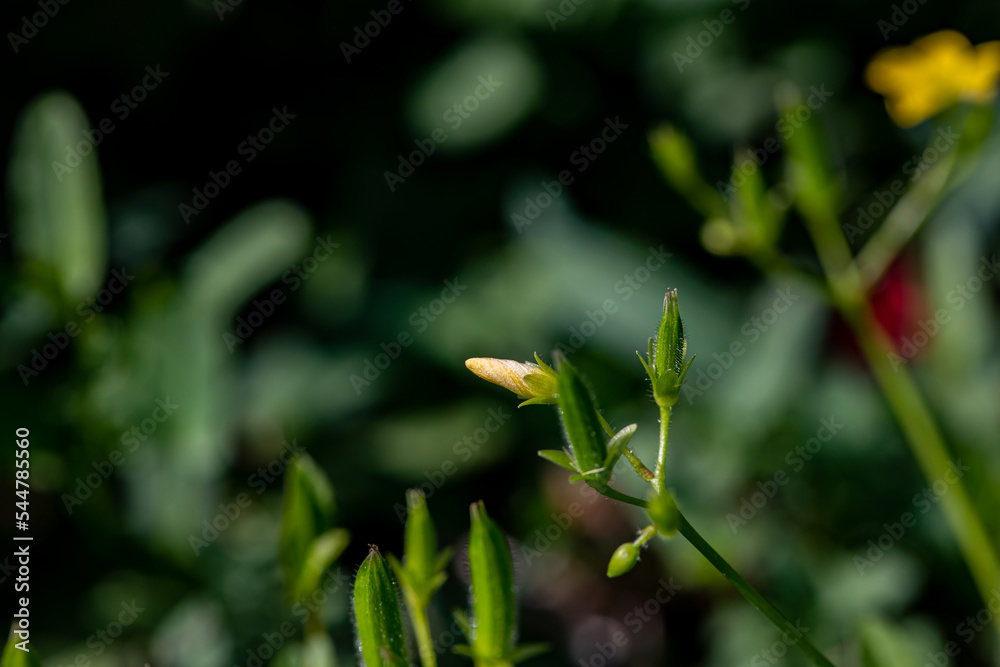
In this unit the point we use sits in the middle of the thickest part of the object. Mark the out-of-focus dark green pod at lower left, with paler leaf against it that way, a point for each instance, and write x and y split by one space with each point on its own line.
307 512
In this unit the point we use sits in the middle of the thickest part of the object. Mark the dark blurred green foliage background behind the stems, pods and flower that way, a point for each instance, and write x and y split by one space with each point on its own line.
267 314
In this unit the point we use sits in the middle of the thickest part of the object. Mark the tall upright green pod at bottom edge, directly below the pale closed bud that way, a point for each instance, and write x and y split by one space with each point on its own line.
491 570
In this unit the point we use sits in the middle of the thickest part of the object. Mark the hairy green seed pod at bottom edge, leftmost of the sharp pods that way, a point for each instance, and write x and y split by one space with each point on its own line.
378 620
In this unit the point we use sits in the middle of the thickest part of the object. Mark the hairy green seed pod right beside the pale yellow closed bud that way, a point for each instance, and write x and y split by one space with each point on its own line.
580 419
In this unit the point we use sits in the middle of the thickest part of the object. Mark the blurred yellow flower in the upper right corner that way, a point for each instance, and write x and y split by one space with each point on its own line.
932 74
